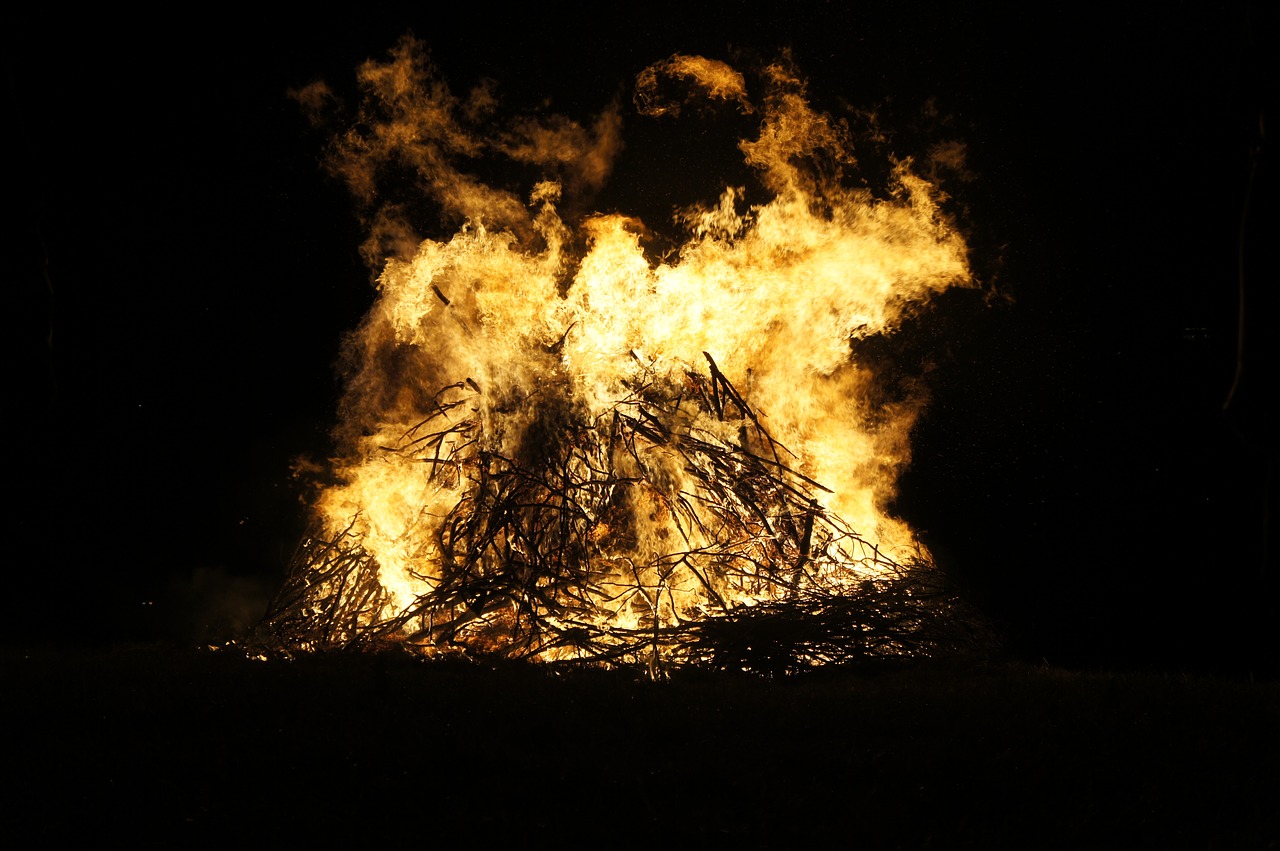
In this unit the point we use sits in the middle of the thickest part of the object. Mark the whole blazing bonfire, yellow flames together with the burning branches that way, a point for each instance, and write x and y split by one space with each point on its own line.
556 446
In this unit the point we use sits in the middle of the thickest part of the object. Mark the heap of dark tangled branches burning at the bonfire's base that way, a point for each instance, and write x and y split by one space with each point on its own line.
550 552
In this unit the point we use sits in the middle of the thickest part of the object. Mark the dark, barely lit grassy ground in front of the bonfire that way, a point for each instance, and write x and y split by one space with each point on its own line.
162 747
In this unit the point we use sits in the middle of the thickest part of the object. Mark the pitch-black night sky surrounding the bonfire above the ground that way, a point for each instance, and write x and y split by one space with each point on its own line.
186 269
